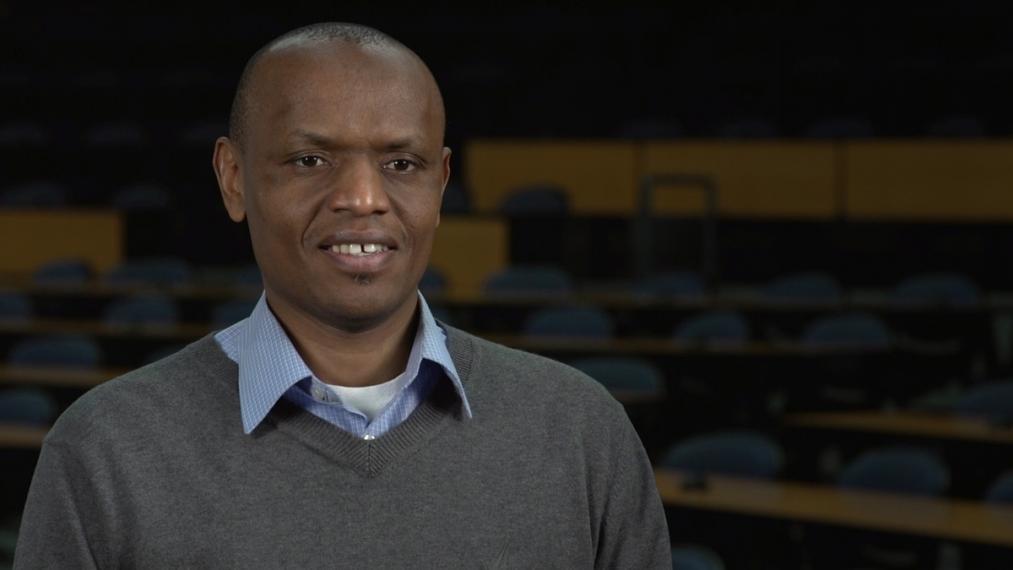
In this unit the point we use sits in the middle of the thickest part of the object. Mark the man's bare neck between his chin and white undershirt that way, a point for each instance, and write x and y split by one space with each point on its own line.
362 358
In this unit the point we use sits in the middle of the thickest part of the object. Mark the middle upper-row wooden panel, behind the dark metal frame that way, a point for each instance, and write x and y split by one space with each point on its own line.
762 180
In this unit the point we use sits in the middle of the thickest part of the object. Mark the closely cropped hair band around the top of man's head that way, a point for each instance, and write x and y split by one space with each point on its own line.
332 37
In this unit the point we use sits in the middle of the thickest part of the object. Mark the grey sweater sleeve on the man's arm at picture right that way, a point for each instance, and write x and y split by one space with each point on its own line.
634 531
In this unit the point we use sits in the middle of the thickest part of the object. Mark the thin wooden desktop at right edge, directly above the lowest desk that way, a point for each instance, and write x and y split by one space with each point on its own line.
940 427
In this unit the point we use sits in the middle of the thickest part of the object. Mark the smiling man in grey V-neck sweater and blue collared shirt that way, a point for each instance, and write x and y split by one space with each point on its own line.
341 426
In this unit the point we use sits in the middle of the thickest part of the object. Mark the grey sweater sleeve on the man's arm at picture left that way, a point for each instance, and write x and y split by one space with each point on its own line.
54 528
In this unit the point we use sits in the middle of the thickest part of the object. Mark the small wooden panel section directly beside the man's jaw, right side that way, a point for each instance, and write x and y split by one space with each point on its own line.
467 251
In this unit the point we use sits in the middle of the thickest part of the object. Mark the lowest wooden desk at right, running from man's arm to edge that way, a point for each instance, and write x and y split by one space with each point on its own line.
931 518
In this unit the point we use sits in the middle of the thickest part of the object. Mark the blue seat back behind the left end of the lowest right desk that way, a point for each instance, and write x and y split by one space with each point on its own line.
739 454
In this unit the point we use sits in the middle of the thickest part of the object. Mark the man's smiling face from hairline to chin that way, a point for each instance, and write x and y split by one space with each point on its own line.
342 172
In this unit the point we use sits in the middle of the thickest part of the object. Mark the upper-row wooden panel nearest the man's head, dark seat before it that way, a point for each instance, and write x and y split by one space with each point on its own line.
599 177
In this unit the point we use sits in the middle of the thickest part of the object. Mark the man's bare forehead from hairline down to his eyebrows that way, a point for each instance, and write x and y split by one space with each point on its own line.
359 92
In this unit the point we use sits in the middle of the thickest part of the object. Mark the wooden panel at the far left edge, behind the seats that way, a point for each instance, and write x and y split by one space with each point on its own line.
31 238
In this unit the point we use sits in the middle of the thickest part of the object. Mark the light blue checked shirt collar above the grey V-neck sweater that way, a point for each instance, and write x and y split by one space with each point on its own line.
271 369
